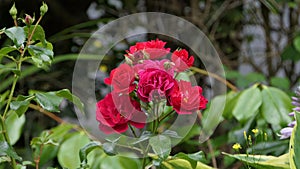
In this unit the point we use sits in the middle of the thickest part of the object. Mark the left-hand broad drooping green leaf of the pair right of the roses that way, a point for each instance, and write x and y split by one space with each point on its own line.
248 104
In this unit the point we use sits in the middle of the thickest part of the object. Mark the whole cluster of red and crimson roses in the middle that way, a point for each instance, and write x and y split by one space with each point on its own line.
147 78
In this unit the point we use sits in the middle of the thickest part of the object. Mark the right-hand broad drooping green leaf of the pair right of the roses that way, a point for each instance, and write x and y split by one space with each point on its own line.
275 107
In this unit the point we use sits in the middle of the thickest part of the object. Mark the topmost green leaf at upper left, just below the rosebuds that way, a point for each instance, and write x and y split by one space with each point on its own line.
17 35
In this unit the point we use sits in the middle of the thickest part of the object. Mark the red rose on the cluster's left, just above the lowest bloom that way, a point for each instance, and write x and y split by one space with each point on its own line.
122 79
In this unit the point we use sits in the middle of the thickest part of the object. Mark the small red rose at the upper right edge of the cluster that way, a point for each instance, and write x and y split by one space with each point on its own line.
182 60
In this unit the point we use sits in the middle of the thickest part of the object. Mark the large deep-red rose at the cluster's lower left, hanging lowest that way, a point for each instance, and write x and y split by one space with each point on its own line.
114 112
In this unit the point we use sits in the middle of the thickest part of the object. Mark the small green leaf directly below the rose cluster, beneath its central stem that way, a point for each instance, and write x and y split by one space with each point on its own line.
161 145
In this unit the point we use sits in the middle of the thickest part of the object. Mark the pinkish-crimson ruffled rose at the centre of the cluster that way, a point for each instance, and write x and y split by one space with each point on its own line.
154 84
